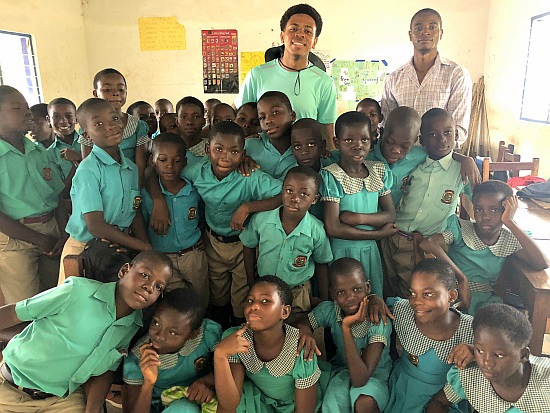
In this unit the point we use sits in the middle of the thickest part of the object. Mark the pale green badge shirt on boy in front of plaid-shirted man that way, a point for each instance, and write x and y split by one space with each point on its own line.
431 196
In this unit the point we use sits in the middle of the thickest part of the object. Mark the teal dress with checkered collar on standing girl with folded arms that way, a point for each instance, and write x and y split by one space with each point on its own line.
361 196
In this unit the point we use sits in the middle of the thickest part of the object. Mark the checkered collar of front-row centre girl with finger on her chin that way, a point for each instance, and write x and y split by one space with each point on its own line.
280 365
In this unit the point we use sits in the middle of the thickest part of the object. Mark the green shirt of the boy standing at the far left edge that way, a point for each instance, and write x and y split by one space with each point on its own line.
29 183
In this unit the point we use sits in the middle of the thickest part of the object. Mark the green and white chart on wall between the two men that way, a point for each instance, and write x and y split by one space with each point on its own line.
358 79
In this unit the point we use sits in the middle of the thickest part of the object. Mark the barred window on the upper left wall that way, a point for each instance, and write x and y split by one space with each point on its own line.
18 65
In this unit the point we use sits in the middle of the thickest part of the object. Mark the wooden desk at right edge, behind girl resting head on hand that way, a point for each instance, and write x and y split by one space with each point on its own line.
531 285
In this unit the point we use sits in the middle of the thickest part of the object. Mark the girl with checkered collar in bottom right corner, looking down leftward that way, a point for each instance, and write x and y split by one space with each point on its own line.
505 377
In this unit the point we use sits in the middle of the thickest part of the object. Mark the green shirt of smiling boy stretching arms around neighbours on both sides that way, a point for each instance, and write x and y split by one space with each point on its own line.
223 197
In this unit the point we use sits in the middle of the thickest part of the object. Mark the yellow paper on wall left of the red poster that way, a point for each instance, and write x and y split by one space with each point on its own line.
161 33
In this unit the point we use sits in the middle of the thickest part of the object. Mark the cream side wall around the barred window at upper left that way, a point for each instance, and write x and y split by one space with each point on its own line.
58 30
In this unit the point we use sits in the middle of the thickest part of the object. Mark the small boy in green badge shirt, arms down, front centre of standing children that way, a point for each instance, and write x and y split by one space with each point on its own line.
290 243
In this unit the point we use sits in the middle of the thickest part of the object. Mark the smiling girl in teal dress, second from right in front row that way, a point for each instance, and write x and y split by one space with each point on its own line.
428 330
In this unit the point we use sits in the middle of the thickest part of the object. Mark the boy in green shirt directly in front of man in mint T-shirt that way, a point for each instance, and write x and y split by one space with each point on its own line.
272 149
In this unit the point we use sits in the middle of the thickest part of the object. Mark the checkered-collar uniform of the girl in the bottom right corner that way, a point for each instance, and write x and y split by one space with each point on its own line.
471 384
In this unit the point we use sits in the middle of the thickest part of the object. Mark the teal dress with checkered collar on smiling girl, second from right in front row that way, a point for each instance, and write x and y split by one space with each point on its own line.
421 371
